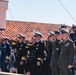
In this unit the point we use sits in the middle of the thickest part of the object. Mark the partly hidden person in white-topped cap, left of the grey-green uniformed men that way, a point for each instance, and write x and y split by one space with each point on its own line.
47 59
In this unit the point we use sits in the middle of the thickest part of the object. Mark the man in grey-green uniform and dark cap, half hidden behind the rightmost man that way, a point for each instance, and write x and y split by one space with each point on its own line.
55 54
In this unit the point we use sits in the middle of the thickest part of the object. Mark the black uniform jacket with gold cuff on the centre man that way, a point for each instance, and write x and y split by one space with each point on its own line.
38 51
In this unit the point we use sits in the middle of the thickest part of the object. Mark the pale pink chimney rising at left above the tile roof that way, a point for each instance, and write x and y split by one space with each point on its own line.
3 8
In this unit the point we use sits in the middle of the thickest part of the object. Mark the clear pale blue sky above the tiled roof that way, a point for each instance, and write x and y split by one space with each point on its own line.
42 11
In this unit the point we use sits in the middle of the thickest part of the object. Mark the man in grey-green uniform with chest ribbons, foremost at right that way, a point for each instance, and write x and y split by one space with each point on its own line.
67 54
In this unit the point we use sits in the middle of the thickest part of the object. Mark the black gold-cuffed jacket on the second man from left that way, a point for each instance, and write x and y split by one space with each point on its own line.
21 52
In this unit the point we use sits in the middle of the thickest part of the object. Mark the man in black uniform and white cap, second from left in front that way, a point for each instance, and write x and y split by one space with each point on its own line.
21 54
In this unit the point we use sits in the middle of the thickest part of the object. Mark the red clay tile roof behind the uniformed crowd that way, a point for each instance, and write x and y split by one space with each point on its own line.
13 28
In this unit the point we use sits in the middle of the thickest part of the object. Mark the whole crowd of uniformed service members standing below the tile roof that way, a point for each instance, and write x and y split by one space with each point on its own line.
54 56
